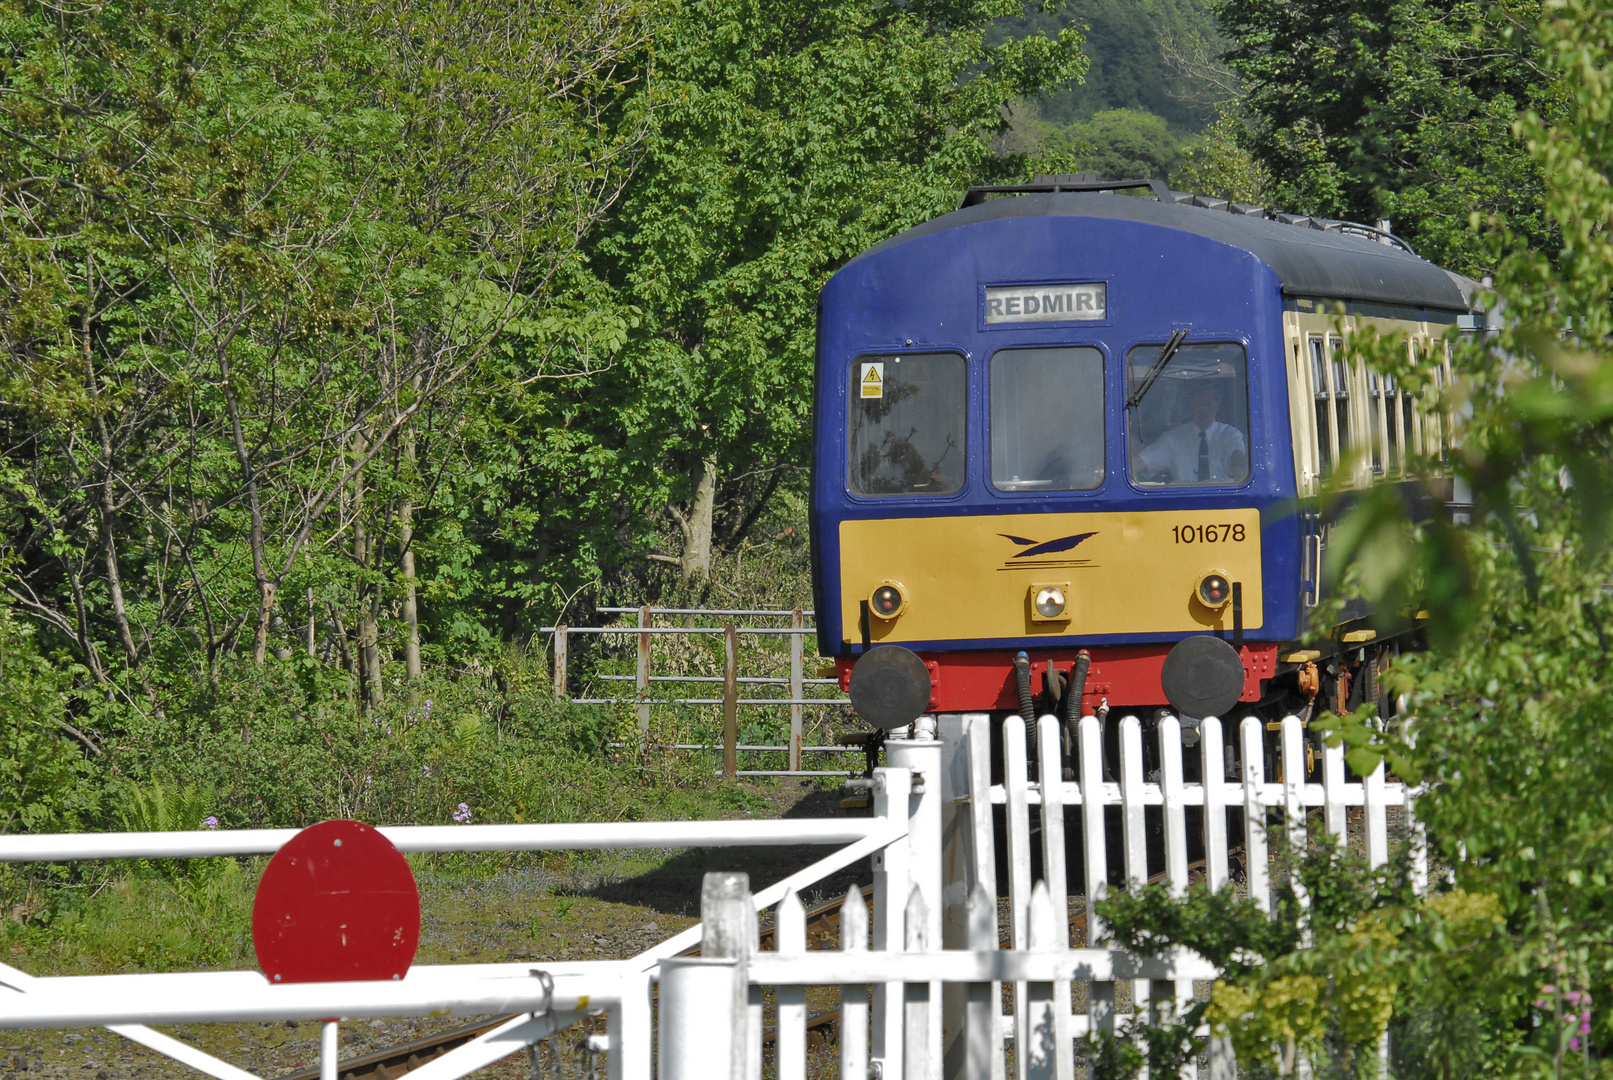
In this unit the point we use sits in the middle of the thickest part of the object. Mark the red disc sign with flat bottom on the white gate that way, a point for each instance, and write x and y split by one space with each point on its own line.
338 903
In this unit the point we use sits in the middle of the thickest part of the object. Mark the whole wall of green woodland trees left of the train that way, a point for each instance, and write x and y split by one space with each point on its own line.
359 339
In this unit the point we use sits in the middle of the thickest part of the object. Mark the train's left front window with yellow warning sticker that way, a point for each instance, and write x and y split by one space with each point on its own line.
907 425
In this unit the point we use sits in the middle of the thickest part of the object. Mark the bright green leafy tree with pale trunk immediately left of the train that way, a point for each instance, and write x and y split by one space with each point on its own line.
788 138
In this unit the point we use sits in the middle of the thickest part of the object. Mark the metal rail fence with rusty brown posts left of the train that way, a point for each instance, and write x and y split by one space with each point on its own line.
731 681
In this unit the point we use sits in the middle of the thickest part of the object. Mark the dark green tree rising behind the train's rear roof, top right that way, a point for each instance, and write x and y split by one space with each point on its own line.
1396 109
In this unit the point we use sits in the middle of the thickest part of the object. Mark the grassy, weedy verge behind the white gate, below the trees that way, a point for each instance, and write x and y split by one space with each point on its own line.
277 747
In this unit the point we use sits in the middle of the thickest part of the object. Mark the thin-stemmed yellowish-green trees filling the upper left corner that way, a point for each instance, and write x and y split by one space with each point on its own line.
252 257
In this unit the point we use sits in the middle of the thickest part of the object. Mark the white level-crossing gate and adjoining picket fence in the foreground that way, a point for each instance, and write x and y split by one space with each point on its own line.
920 994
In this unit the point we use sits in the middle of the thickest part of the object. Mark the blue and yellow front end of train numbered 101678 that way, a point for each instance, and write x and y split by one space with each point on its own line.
1051 438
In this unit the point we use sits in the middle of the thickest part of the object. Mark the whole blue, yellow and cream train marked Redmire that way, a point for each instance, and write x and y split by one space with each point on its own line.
1061 434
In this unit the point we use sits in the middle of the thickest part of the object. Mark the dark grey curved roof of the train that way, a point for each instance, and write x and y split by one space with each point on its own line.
1314 257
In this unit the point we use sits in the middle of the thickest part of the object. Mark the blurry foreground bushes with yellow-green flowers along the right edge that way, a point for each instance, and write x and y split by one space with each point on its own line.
1506 721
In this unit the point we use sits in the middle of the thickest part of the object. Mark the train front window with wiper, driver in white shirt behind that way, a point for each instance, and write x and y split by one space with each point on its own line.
1191 425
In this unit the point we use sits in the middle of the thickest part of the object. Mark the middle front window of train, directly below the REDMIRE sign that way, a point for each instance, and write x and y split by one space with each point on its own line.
1048 420
